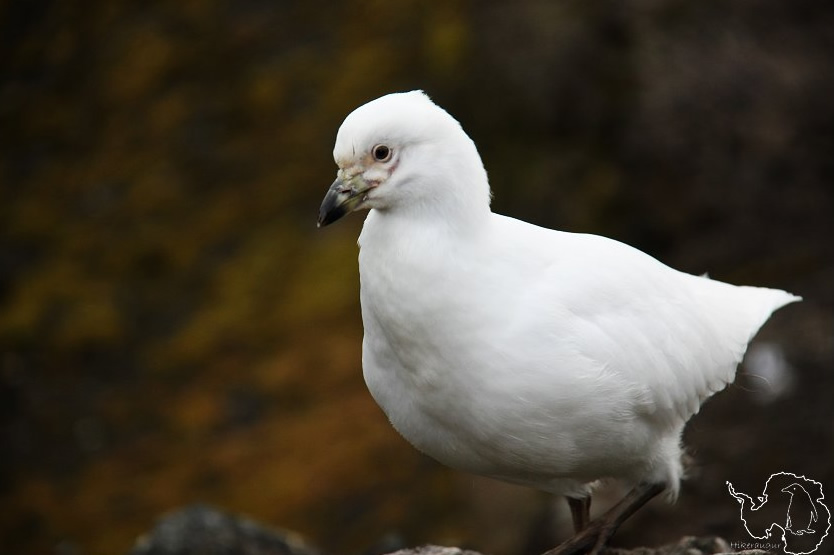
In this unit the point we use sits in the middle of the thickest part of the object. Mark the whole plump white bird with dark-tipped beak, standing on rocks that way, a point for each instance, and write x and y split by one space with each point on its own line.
534 356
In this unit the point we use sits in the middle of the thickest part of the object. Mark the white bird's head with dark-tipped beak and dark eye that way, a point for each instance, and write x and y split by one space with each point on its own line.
402 150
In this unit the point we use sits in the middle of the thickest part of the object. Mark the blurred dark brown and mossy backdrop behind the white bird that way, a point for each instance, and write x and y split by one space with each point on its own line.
174 329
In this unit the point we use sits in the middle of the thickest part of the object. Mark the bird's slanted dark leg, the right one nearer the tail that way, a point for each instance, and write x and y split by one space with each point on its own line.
597 533
